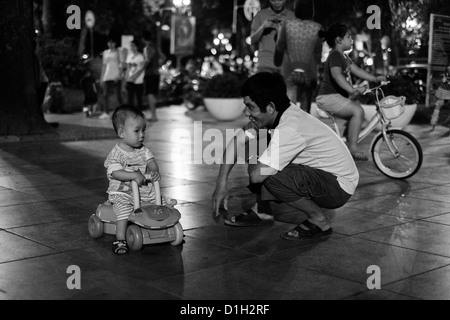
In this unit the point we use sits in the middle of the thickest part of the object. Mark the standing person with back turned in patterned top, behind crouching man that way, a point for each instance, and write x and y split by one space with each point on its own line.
299 38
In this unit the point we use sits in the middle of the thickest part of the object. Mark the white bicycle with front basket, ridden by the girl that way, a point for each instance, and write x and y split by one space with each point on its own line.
396 153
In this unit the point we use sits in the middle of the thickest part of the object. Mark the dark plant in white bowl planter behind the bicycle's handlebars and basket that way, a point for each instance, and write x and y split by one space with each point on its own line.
399 86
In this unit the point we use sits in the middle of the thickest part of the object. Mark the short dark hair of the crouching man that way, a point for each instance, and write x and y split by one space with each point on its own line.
264 88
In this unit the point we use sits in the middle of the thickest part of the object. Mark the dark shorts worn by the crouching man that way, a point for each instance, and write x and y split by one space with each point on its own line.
297 181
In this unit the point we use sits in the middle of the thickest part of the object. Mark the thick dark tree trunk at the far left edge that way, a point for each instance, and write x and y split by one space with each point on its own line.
19 110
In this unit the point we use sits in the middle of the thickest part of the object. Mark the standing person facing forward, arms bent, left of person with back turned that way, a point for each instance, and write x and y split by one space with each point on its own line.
264 33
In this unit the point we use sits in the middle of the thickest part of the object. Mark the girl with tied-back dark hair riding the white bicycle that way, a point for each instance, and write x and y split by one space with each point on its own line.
337 87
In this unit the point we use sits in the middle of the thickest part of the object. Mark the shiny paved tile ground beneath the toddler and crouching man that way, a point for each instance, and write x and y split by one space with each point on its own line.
50 186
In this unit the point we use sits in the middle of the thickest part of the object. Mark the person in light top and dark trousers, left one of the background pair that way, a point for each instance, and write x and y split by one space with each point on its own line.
111 77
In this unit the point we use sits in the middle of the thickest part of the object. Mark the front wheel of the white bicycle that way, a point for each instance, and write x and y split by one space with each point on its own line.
407 160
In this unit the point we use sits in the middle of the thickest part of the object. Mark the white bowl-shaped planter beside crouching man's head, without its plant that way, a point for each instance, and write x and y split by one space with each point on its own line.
225 109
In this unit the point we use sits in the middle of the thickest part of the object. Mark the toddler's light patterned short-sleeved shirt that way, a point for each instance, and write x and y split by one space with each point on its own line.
119 159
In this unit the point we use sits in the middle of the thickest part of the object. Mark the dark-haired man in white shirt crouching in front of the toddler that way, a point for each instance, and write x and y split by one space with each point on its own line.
306 165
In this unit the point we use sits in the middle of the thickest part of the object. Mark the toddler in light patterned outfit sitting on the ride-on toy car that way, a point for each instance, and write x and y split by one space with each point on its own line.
129 160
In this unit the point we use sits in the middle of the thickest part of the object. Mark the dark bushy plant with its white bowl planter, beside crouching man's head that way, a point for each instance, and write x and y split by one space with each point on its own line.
222 96
